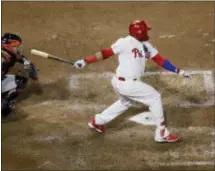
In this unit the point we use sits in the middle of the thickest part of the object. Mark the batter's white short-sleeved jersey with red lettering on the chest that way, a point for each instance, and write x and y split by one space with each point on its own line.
132 56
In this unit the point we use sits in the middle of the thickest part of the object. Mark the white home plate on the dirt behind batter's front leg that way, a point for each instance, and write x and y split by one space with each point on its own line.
145 118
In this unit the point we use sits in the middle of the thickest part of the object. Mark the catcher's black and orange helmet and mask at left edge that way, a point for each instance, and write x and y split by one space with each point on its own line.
14 41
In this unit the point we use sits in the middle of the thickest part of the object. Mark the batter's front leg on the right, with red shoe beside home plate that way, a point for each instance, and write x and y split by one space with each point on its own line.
147 95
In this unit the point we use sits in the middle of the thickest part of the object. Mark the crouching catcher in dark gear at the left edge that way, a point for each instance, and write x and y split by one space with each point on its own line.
13 85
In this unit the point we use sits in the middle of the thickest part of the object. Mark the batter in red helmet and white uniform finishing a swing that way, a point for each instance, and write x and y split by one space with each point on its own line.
133 51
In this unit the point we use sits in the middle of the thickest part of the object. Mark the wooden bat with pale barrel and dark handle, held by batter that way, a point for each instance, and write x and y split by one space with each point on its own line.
50 56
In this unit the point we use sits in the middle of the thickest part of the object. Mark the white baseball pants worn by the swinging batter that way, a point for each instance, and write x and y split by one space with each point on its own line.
128 91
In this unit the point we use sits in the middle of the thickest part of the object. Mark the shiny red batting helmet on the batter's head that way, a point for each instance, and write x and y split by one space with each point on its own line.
139 29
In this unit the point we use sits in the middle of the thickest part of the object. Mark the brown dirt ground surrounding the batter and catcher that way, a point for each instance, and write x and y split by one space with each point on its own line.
48 129
